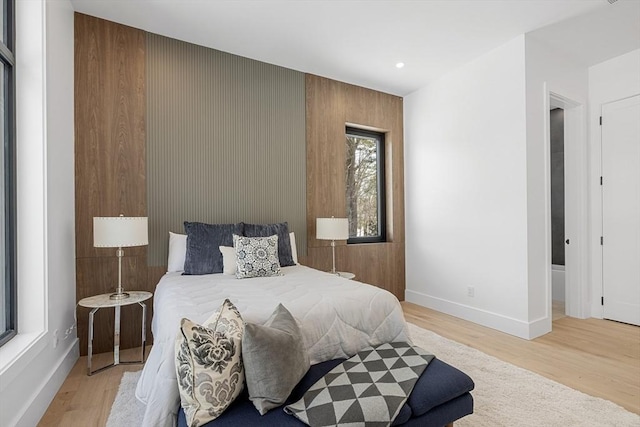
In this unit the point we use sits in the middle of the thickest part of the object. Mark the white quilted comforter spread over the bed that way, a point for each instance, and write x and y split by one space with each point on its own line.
339 317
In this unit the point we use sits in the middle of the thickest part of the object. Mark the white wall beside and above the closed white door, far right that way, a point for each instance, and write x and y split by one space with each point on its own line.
609 81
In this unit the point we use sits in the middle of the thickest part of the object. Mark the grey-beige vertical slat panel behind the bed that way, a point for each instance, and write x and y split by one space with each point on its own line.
225 141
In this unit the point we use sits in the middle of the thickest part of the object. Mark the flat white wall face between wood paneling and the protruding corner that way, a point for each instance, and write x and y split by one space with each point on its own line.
466 191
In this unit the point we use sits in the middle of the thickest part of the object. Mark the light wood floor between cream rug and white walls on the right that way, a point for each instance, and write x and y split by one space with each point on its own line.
598 357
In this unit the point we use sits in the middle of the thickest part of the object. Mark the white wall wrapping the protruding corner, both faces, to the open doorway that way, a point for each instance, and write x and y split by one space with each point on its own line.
477 182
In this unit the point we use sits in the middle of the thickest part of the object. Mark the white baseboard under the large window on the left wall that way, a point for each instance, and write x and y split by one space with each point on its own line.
43 397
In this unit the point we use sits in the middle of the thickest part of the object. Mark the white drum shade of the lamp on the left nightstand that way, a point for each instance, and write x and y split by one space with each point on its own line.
120 232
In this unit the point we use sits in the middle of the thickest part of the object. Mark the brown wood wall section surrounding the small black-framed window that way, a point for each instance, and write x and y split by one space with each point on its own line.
331 105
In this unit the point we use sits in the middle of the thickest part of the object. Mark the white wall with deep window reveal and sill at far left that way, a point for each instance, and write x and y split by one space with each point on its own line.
31 367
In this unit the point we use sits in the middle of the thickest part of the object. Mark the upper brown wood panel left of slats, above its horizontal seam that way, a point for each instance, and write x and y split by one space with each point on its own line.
109 127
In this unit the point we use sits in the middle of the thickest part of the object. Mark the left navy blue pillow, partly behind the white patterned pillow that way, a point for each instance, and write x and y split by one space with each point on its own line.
203 241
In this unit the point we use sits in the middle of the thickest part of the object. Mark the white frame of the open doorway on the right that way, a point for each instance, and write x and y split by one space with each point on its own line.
577 297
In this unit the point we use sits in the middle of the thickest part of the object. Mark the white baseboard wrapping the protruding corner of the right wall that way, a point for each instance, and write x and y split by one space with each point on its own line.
509 325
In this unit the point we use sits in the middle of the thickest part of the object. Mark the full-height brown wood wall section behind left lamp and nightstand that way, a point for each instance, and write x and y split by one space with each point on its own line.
109 167
